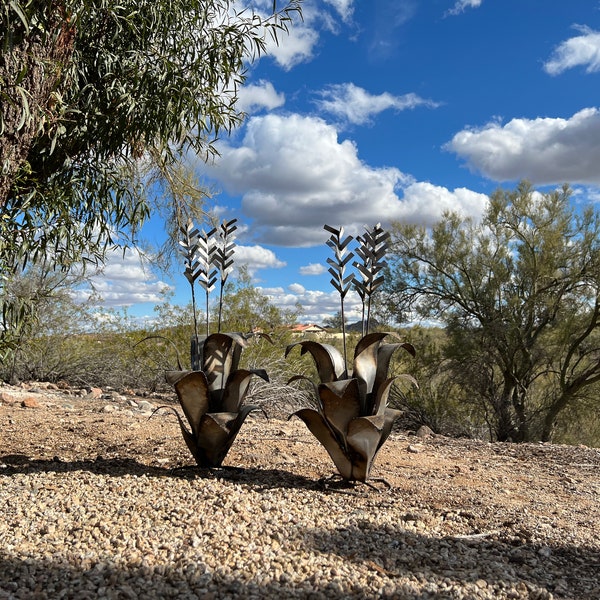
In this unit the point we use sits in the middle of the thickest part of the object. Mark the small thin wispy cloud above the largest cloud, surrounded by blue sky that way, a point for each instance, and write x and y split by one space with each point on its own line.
355 105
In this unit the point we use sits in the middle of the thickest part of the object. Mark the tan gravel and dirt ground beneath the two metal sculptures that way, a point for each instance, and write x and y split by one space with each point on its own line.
97 503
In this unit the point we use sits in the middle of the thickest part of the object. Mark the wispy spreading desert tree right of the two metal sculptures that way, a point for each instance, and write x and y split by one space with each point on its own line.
519 293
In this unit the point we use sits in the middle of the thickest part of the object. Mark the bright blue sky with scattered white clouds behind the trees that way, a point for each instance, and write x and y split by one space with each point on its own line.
391 110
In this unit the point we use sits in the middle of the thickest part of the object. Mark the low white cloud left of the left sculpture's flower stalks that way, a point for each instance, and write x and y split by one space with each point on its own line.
125 281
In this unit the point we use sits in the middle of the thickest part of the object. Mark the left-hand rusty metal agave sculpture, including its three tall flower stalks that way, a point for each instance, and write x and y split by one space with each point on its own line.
212 394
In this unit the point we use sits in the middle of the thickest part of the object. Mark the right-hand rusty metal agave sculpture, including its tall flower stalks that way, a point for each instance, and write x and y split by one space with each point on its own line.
352 420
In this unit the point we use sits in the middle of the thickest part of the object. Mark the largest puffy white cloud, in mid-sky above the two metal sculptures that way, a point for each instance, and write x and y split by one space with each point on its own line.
295 176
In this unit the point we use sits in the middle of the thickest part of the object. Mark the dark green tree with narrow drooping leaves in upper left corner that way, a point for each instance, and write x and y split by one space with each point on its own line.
90 87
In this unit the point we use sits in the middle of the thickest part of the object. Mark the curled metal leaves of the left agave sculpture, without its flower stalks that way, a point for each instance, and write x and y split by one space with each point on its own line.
212 398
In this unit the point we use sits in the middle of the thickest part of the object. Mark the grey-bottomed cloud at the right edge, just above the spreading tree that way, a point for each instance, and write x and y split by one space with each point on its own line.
542 150
